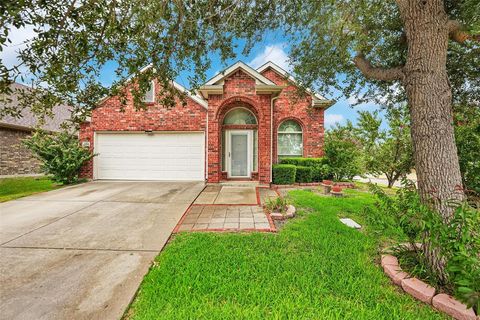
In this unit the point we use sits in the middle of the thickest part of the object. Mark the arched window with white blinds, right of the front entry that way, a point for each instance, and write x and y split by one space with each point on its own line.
290 139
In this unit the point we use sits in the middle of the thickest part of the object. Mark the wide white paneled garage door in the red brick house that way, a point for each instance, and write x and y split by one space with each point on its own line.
158 156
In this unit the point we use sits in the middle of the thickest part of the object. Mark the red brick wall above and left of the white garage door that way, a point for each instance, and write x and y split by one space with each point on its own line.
109 117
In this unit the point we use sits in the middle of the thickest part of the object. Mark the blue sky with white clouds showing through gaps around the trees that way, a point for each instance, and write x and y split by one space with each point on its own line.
273 48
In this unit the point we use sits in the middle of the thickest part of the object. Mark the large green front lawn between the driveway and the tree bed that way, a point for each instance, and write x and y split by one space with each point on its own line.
314 268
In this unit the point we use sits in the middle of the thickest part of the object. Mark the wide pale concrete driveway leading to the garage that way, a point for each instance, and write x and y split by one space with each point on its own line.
82 251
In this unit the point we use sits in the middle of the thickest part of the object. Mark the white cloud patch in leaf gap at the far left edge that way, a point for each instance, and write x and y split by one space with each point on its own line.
20 38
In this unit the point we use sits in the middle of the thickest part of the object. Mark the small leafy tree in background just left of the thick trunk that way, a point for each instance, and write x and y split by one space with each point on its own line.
387 152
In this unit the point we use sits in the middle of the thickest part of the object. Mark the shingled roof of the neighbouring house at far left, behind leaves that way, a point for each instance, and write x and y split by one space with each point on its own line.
28 119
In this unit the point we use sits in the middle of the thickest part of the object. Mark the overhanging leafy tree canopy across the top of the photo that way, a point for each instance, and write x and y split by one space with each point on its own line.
75 39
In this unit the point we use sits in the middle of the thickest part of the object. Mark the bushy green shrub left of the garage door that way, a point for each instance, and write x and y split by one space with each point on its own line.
60 154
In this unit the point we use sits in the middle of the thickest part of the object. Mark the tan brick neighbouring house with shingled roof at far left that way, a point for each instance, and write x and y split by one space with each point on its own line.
15 158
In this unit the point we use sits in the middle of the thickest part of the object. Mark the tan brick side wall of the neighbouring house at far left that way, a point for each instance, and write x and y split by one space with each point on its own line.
15 158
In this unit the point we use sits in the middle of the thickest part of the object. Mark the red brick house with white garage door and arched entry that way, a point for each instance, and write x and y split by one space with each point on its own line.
240 122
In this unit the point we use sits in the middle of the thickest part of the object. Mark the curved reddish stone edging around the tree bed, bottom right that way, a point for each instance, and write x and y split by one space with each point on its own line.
424 292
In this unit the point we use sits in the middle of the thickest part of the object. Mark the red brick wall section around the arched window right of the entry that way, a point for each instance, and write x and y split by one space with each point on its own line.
292 105
